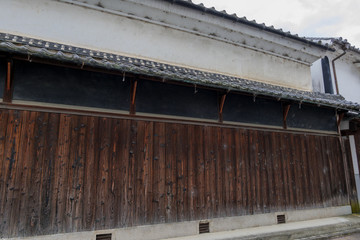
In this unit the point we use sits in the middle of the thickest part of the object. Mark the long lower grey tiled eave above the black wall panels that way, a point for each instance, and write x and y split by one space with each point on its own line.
88 57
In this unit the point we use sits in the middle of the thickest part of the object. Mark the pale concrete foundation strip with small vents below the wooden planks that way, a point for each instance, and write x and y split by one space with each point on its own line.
171 230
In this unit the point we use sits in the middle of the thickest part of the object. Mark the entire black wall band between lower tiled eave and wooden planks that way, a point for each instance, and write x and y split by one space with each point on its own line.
43 83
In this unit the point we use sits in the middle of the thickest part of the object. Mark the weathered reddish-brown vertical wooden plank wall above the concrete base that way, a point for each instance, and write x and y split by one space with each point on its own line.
66 173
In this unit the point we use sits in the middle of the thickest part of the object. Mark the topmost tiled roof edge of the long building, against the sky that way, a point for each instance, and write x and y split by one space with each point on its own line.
244 20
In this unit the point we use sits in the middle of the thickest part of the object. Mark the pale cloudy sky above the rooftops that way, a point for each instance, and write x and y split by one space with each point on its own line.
310 18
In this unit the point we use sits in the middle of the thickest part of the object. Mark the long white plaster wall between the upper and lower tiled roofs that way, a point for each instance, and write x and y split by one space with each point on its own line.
70 24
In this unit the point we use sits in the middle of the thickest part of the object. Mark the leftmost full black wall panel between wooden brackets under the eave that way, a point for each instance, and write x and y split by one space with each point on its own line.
52 84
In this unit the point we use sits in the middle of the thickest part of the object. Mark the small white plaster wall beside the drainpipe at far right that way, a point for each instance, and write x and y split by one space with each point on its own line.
348 76
